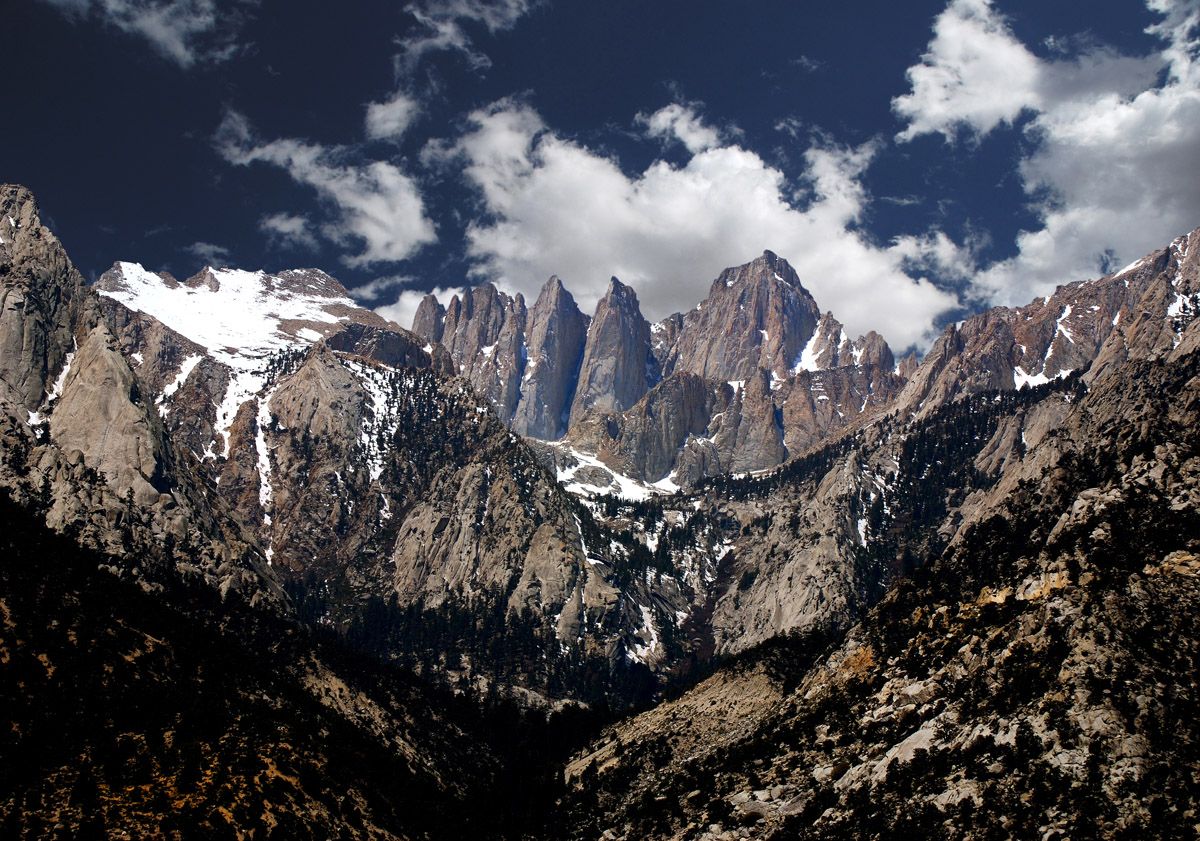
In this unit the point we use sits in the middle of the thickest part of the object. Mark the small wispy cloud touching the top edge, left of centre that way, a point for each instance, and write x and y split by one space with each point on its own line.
441 28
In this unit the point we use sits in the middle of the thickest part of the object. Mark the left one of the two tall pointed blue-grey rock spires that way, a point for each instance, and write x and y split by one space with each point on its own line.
557 335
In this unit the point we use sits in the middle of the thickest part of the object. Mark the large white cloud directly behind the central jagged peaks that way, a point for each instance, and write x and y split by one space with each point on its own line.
555 207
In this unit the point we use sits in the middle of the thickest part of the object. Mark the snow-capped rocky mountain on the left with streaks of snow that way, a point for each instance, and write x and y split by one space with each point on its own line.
307 454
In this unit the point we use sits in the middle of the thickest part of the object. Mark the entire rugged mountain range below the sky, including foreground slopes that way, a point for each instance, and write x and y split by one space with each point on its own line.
845 594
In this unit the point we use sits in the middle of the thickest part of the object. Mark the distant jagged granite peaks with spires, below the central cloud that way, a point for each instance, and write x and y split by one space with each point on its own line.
752 377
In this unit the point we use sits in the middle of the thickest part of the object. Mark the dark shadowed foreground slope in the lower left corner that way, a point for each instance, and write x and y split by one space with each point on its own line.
171 714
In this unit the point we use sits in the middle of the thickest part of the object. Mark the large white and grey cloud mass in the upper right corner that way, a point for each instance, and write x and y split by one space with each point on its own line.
1113 140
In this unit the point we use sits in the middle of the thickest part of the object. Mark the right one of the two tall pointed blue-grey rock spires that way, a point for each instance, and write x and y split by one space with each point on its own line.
617 367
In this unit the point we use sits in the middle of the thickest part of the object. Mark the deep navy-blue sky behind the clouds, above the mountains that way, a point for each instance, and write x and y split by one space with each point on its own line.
117 135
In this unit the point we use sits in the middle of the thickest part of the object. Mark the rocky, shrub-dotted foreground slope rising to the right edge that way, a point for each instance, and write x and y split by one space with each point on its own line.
1035 681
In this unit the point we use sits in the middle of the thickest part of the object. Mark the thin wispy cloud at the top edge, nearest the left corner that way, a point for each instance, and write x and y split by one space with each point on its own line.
184 32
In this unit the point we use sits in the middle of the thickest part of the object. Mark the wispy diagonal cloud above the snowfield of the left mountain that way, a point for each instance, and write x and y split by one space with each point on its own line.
374 205
